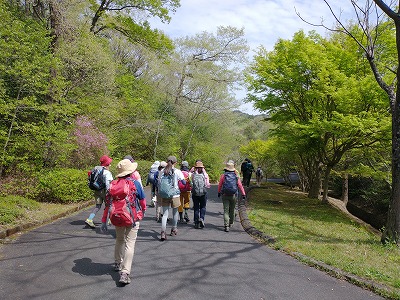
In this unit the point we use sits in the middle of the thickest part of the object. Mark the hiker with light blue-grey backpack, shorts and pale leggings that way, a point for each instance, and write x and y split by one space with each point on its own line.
169 192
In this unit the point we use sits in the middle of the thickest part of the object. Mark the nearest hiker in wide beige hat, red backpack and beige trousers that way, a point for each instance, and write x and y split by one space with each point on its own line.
125 207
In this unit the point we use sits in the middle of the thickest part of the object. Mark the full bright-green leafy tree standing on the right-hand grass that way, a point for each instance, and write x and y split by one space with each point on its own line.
318 102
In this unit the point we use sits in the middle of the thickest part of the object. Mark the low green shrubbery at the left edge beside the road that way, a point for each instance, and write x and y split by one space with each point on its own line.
13 207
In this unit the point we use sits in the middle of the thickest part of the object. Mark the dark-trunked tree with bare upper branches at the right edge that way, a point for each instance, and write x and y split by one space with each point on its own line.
374 25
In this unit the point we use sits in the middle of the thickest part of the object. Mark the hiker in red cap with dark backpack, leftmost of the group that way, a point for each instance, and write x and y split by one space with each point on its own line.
99 179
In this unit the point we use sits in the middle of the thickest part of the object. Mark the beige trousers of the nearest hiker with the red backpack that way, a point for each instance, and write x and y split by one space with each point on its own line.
125 246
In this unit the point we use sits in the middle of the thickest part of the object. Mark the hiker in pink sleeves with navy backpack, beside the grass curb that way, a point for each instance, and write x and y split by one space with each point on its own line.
228 187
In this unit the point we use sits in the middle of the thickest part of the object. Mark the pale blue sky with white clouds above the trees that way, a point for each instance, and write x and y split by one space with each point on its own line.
264 21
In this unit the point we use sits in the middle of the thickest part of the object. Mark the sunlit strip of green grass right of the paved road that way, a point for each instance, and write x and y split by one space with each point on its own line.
323 233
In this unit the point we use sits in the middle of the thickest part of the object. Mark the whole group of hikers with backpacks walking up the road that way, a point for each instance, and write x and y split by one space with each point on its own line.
171 189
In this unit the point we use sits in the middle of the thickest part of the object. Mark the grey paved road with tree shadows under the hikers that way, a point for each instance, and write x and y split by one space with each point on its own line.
67 260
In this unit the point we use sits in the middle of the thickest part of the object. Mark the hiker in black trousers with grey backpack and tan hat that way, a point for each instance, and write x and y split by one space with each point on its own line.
200 183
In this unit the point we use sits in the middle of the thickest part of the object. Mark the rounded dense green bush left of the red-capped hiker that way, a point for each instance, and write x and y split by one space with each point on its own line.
64 186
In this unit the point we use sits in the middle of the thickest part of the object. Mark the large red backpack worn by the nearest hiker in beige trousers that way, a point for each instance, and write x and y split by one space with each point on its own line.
124 209
